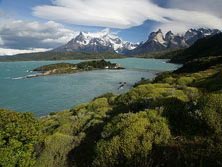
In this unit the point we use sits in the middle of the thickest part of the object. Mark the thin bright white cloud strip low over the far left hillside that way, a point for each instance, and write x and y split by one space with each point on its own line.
10 52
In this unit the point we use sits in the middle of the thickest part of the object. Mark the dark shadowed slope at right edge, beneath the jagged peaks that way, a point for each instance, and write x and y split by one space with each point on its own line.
203 54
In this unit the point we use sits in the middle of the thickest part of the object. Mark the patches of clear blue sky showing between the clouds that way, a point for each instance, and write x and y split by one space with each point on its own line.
22 9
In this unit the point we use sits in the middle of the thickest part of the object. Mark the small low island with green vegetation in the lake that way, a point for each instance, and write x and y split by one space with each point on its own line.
68 68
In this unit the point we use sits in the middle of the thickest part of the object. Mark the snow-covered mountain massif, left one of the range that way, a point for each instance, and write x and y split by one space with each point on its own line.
97 42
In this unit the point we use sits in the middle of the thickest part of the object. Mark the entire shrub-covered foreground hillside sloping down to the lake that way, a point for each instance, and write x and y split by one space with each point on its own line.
174 120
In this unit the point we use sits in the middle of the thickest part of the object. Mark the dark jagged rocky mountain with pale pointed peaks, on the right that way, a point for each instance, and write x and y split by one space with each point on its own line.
157 41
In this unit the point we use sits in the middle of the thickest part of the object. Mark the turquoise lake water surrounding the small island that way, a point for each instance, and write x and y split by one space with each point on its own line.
55 93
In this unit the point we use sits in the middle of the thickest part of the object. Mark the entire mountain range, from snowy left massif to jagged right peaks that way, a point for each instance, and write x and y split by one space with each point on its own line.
105 41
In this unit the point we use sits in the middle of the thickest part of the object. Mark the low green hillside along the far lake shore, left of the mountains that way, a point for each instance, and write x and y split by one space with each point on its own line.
60 56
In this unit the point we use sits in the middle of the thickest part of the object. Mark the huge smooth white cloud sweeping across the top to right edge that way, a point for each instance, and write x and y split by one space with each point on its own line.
127 13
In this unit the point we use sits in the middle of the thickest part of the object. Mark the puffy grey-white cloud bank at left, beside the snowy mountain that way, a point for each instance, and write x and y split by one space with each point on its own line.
20 34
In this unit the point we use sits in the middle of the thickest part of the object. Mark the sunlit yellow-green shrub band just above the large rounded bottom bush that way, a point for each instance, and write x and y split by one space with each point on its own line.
145 96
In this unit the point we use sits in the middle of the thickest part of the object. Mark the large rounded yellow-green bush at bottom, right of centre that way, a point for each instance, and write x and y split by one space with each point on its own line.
129 138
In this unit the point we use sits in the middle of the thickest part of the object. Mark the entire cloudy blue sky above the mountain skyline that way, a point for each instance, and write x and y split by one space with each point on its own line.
43 24
